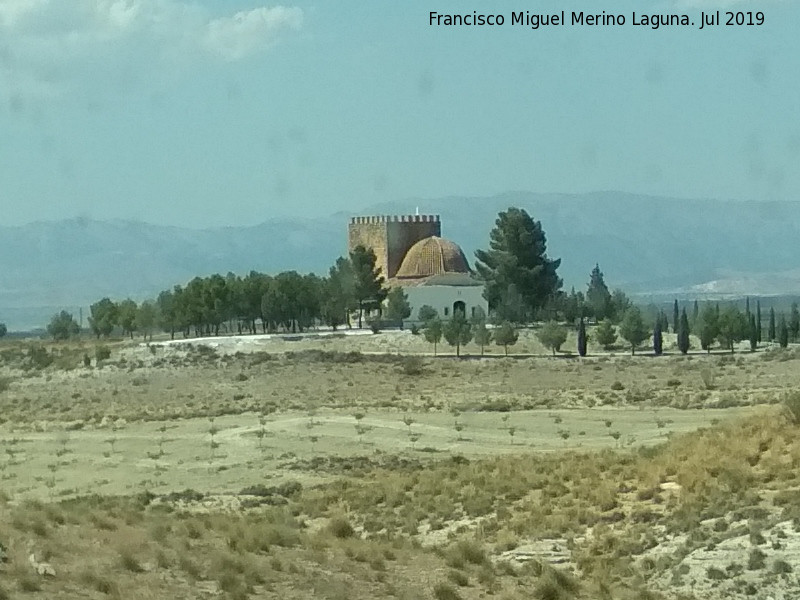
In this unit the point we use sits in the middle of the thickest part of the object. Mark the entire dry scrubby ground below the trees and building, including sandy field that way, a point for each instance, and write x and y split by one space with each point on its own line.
296 469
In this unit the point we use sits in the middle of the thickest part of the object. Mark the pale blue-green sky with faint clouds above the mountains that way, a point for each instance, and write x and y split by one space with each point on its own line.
204 113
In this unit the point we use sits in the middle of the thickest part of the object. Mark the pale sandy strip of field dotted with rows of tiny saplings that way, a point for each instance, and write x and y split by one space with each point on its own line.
168 456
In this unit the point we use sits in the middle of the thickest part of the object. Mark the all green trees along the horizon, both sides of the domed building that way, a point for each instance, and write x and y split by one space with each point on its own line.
521 286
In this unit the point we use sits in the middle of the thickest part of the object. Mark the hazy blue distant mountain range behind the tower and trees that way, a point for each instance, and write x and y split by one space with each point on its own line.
643 244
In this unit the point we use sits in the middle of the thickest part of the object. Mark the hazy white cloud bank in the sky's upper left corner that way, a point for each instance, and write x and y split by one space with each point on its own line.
46 44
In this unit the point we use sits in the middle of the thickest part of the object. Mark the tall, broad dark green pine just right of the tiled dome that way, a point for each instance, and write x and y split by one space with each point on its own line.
517 255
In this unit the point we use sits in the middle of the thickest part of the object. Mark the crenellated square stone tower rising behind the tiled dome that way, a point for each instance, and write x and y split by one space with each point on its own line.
390 237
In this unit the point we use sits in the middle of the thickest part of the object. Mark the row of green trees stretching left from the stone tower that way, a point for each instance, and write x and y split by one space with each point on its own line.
288 301
